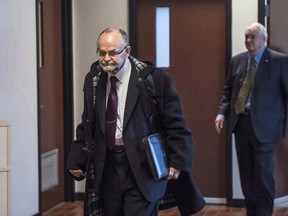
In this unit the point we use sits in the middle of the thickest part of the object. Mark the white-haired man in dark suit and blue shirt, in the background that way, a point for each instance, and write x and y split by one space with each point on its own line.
254 103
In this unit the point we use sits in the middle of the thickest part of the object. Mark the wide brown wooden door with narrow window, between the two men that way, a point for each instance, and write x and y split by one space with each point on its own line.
198 68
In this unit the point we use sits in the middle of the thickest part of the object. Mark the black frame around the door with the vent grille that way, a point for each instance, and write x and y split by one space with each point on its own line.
67 96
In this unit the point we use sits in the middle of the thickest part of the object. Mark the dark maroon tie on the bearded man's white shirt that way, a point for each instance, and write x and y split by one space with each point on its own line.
111 113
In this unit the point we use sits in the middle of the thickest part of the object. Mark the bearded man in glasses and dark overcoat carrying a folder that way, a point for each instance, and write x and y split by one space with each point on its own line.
118 168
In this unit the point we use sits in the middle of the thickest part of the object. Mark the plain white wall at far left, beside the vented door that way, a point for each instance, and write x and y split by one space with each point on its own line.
18 99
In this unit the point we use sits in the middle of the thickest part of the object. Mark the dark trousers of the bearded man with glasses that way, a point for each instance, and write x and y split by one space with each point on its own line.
120 192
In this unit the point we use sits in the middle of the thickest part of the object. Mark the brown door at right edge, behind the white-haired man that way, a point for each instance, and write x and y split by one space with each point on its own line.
277 40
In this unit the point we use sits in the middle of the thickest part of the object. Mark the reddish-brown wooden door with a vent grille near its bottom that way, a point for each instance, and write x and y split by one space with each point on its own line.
50 91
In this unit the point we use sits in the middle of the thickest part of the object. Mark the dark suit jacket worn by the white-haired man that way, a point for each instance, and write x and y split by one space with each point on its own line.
269 94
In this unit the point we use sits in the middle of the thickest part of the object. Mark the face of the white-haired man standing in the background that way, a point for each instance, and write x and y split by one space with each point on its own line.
254 41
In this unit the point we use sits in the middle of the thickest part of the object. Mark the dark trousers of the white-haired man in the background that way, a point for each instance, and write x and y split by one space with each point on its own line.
255 161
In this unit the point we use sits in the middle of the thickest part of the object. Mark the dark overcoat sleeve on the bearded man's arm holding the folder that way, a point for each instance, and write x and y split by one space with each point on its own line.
179 137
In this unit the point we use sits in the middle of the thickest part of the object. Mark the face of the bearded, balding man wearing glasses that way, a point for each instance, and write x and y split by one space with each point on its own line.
112 51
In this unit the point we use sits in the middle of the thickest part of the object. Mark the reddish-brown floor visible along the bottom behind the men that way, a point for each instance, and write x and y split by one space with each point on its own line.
75 209
